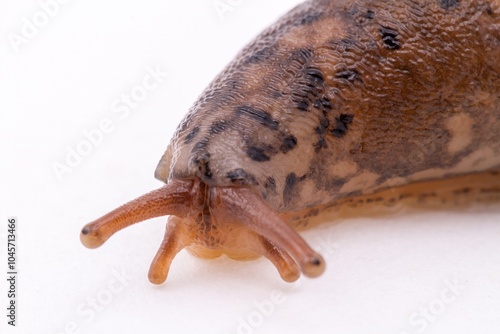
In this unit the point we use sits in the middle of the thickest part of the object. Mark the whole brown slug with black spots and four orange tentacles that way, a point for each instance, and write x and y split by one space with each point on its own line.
338 102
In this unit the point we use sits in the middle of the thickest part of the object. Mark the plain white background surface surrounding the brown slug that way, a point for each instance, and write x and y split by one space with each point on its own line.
384 275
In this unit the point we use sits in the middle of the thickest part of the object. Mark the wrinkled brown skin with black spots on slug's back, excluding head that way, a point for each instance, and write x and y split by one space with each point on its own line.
425 104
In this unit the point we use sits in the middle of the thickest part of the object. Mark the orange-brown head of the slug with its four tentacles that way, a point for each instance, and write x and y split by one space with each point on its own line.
218 220
